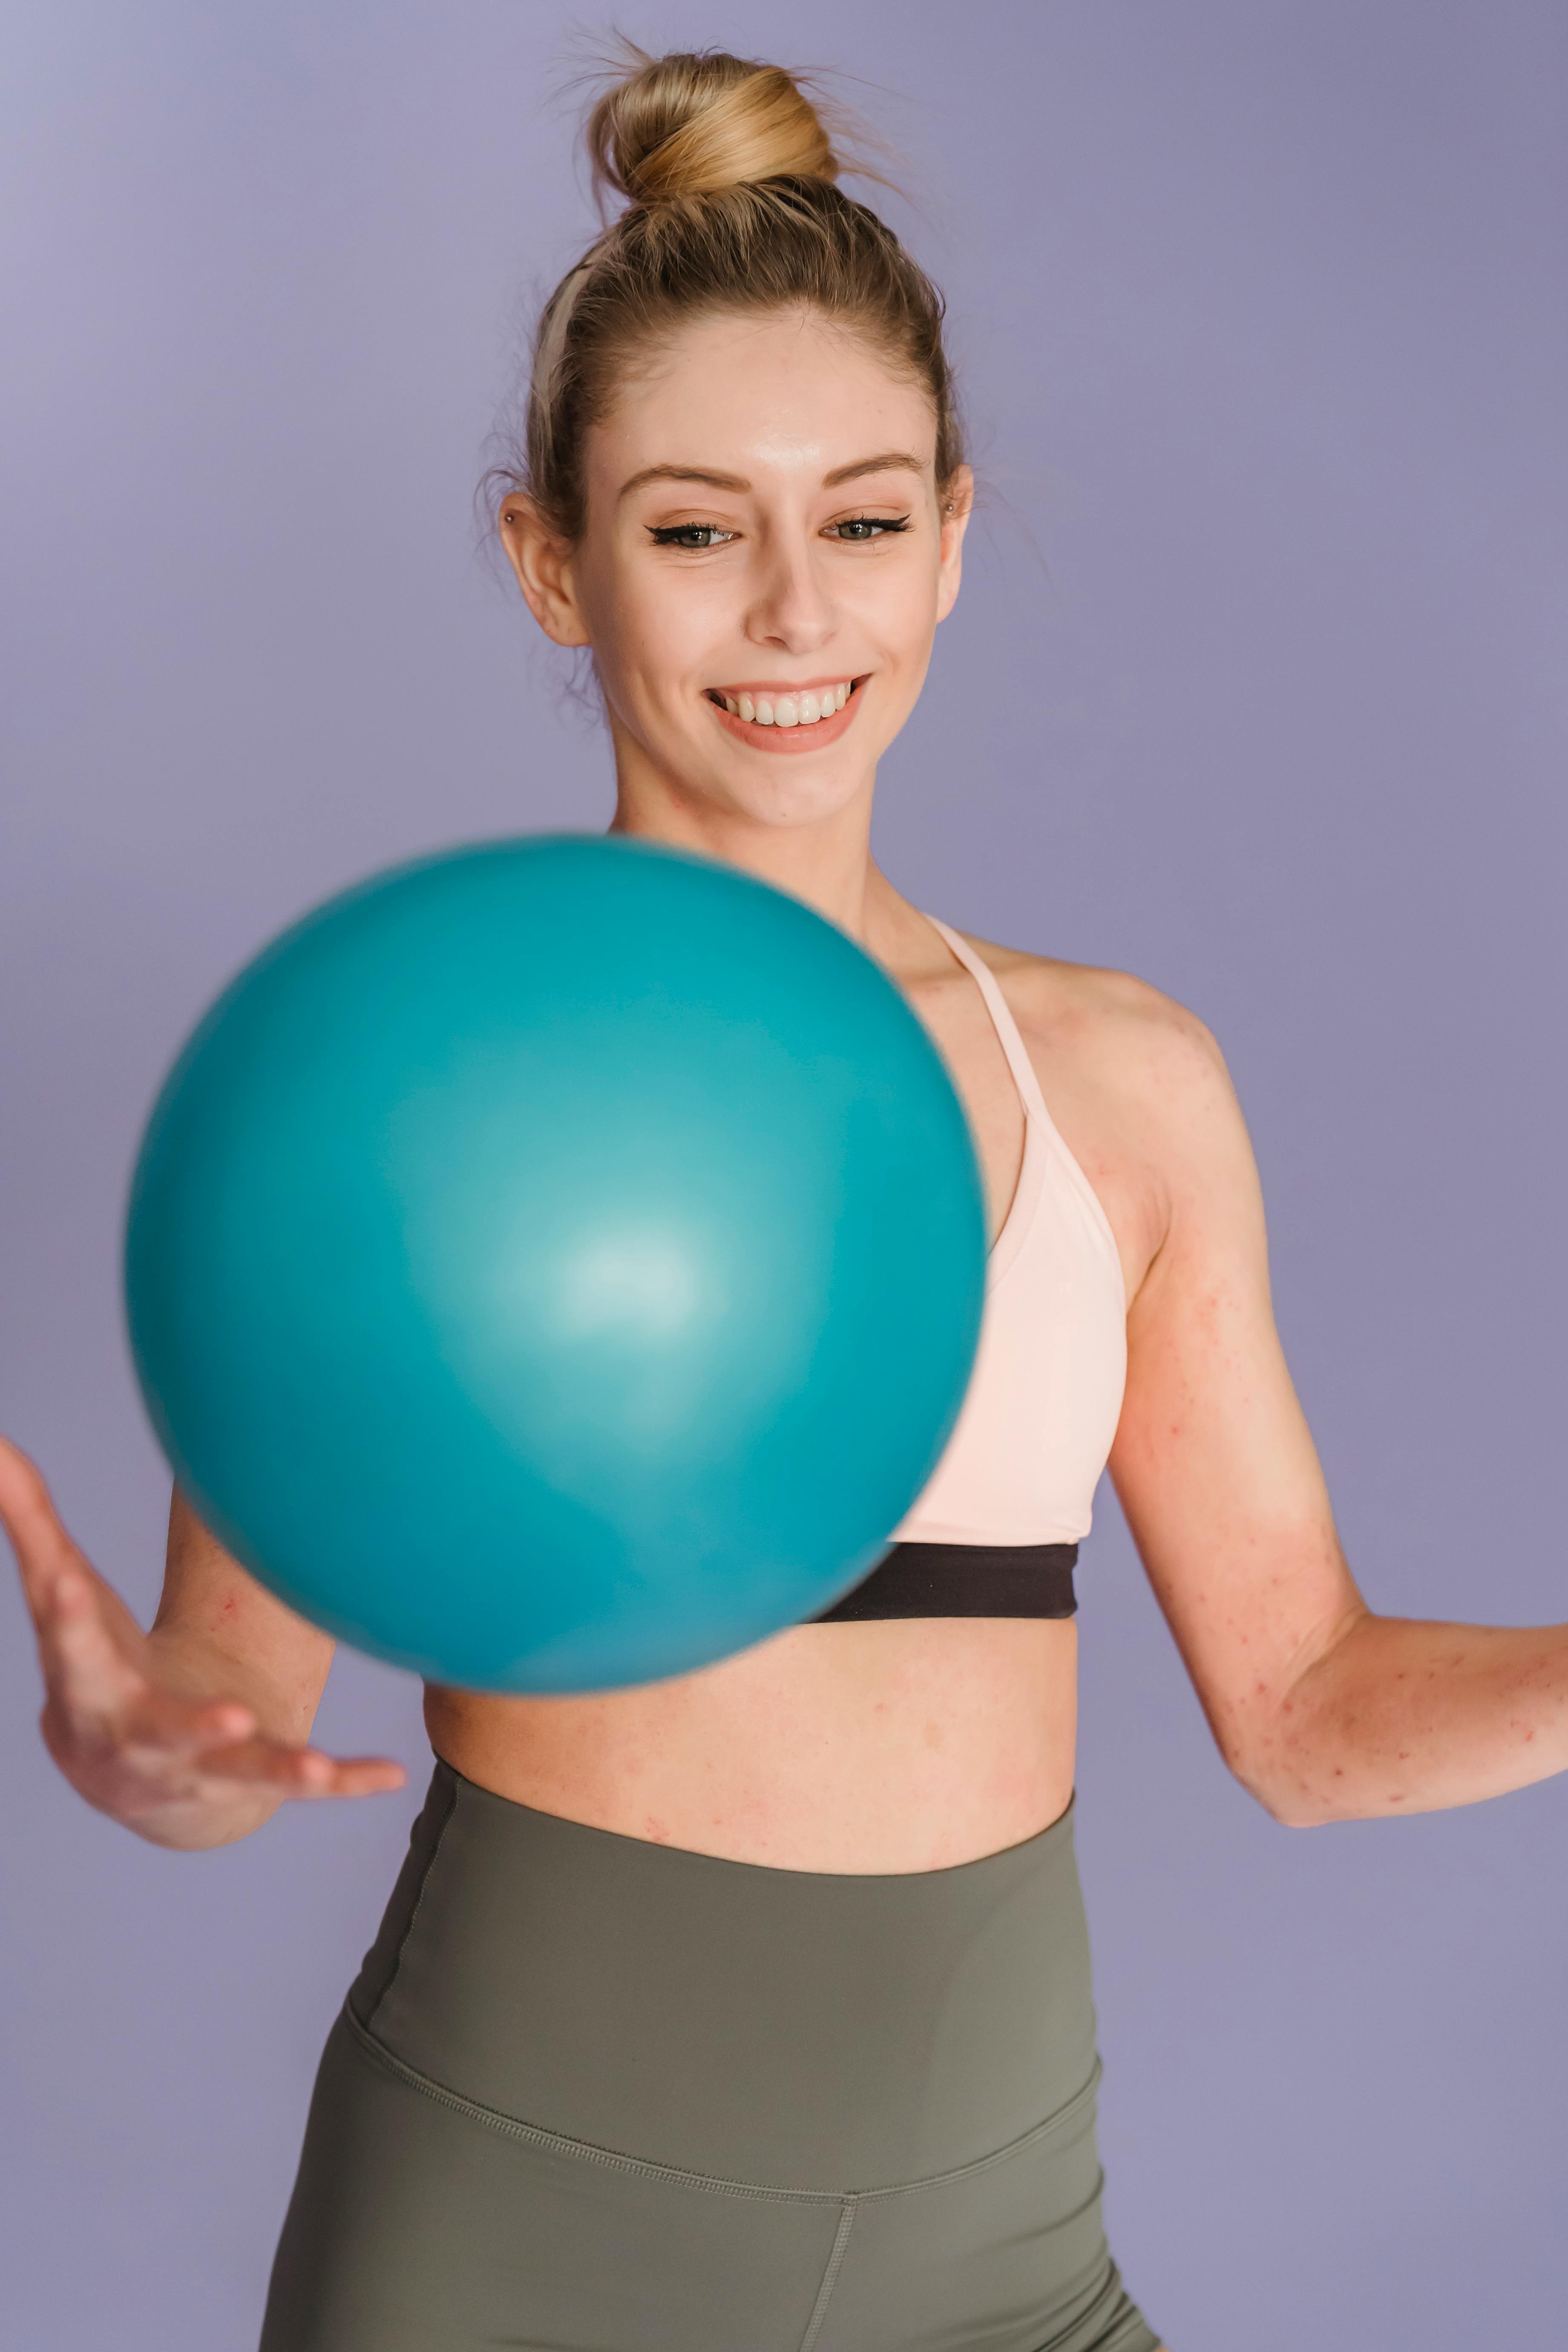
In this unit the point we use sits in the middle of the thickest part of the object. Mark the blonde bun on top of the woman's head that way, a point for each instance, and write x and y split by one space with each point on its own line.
697 123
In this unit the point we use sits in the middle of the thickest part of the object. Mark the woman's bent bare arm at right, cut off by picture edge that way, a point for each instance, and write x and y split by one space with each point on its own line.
1322 1709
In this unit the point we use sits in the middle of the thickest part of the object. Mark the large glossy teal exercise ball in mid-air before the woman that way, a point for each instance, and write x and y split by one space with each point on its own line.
556 1264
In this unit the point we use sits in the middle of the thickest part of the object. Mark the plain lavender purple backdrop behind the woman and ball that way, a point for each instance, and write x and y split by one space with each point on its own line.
1257 688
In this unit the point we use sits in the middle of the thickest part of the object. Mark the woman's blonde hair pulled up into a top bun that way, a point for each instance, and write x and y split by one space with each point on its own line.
732 206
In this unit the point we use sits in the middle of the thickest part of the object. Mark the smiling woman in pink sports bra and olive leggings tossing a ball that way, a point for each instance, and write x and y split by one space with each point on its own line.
751 2010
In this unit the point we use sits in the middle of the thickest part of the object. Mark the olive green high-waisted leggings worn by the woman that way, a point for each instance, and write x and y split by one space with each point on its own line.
594 2094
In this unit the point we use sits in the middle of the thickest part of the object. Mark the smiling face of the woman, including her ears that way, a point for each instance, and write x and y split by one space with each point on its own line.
763 568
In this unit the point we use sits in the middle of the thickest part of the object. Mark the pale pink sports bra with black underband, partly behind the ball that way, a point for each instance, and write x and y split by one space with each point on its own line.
996 1530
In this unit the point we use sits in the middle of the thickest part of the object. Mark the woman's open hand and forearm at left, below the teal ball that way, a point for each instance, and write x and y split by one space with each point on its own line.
194 1732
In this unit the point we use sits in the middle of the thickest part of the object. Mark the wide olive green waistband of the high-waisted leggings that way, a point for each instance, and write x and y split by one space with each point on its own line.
812 2031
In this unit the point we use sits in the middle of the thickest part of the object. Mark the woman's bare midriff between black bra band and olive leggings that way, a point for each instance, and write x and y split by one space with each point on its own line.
904 1744
